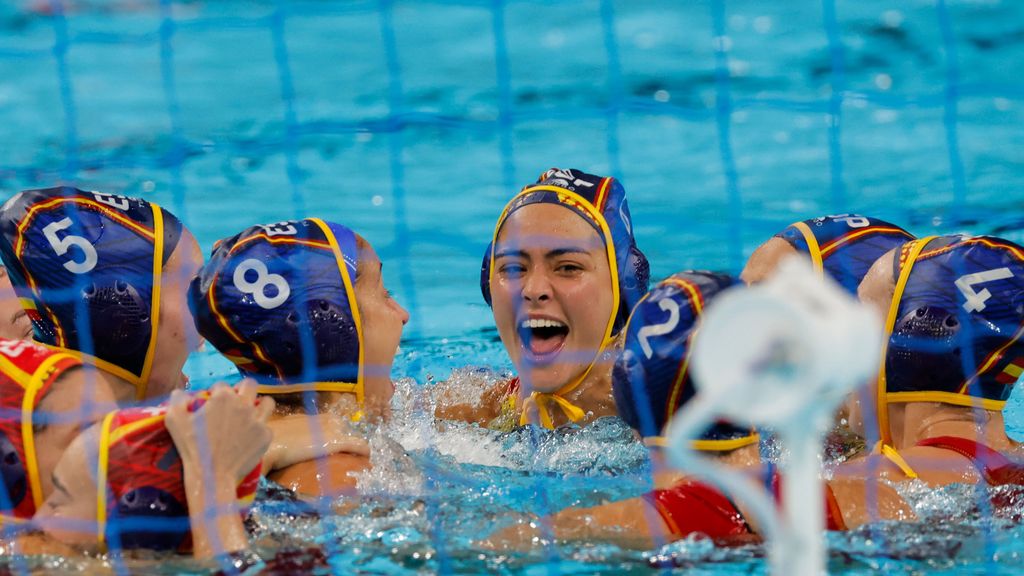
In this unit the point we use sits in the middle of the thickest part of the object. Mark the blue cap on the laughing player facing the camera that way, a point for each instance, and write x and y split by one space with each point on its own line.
602 202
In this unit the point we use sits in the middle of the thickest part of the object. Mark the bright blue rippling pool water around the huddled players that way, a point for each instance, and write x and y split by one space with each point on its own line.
413 122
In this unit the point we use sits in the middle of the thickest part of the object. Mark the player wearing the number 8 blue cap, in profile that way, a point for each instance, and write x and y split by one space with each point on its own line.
302 308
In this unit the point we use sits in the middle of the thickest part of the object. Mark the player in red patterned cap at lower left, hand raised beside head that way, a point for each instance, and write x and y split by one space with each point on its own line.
175 477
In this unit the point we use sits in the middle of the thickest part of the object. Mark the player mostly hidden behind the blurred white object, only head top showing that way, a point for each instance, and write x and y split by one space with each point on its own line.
844 246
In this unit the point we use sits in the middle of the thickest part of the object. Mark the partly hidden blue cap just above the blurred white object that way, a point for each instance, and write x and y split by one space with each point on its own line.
845 246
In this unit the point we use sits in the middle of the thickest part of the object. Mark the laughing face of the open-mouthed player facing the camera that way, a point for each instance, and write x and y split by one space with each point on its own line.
551 294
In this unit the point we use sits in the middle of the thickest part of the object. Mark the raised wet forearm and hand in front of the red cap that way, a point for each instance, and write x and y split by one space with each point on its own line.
220 444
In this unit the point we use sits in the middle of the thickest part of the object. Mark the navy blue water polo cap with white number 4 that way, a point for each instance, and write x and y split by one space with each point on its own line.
955 324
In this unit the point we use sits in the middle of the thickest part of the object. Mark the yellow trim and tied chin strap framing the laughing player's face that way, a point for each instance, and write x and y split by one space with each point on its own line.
610 245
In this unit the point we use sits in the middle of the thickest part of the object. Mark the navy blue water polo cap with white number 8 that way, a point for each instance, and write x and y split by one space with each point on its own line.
279 301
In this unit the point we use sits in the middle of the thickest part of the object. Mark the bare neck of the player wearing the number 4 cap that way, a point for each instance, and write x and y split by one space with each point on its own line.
915 422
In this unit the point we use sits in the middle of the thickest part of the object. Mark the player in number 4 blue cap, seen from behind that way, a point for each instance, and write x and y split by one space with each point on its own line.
954 308
